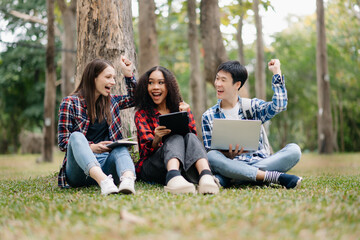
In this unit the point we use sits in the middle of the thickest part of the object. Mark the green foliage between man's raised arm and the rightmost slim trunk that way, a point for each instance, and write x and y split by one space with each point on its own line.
296 50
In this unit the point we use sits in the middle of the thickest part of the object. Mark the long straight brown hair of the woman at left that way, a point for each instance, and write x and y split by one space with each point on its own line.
86 89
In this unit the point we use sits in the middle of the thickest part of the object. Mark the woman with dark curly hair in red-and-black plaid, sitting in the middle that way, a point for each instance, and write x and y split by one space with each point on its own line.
179 161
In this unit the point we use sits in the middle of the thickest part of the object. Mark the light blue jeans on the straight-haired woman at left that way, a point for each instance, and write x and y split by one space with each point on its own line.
80 158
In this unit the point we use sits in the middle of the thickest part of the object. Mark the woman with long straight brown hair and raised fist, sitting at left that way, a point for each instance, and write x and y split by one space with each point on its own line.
89 120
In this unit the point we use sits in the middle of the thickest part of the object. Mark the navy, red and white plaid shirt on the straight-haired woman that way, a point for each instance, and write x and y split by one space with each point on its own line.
73 117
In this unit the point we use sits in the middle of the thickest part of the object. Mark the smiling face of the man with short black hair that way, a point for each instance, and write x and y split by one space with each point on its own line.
225 88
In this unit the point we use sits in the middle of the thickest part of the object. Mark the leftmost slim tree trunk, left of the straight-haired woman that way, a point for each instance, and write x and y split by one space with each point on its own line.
50 87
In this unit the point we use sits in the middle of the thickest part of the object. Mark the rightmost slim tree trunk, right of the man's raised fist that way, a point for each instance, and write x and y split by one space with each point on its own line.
325 128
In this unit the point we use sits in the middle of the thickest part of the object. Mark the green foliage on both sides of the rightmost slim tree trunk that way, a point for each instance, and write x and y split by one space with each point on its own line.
296 48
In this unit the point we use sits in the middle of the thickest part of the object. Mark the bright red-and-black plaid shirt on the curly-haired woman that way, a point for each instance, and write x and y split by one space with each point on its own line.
146 124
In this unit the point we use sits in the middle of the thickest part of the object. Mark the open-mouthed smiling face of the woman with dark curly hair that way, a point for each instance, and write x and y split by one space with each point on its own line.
157 88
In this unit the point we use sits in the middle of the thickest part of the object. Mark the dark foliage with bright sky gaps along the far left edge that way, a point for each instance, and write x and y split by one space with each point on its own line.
22 71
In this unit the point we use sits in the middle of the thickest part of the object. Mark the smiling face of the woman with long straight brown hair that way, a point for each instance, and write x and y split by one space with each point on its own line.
104 82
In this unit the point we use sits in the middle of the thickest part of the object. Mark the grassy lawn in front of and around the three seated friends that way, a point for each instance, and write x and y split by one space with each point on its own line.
326 206
